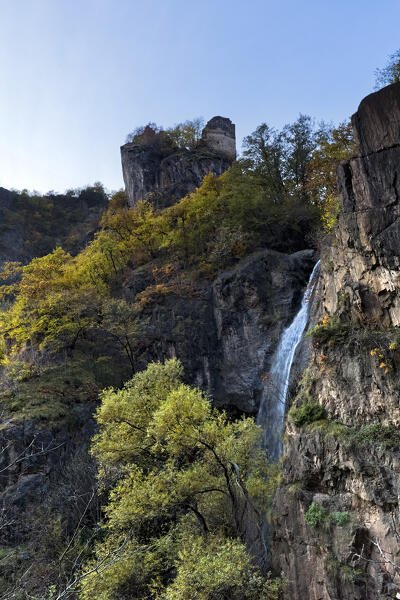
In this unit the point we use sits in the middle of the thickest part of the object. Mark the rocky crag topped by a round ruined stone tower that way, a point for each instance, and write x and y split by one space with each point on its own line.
165 178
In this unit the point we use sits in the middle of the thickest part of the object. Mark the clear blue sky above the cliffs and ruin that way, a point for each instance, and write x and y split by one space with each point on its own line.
77 75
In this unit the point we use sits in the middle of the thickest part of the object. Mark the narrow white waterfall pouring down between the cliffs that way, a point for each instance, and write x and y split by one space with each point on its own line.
271 413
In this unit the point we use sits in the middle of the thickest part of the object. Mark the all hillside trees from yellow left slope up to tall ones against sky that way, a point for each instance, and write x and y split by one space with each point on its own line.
272 198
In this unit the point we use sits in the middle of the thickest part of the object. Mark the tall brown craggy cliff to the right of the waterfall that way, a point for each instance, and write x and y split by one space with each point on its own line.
346 467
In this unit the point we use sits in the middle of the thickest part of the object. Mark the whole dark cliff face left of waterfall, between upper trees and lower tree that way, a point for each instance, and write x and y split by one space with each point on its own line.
226 331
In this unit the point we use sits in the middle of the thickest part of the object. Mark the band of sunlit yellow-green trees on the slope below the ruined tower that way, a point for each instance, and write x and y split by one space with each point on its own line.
57 297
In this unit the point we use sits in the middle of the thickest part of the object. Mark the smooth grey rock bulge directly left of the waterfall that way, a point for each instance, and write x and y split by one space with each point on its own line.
252 305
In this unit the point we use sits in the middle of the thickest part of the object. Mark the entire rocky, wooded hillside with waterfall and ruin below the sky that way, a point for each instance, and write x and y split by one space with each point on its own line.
160 332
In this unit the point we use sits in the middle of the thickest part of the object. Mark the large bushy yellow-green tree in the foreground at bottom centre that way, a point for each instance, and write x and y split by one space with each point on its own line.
183 478
